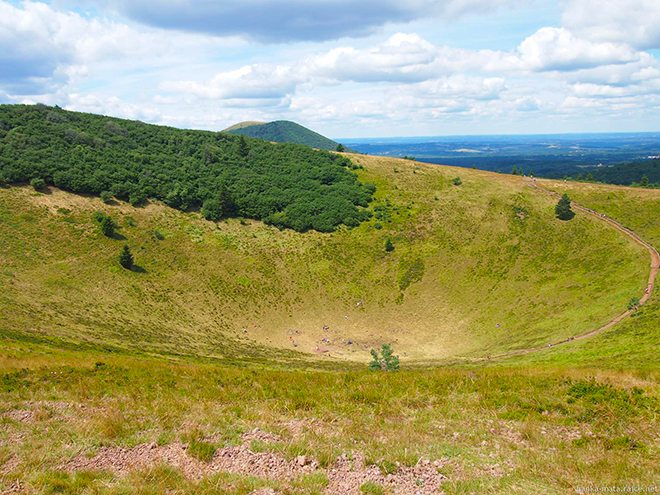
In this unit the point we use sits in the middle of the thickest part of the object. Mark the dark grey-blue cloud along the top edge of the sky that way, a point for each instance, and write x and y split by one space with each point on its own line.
293 20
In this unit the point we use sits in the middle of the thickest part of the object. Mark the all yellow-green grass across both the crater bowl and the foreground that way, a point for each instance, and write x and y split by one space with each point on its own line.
95 358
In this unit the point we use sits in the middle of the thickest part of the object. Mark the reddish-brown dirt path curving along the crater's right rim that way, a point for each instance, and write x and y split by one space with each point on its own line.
655 264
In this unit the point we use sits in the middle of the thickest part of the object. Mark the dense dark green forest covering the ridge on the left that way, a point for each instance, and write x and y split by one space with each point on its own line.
287 185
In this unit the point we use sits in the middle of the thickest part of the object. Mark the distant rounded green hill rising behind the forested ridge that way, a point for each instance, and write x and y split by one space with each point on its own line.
284 131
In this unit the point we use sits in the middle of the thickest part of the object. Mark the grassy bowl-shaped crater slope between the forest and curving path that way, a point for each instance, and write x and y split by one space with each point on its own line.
479 268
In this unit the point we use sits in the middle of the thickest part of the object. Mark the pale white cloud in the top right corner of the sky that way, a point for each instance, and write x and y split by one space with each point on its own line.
634 22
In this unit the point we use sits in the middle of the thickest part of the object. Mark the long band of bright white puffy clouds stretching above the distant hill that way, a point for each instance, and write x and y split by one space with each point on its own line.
410 59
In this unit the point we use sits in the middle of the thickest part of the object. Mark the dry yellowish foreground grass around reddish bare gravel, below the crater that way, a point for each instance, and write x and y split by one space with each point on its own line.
498 430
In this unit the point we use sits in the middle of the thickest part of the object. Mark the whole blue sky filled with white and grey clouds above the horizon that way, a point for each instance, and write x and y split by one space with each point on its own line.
346 68
